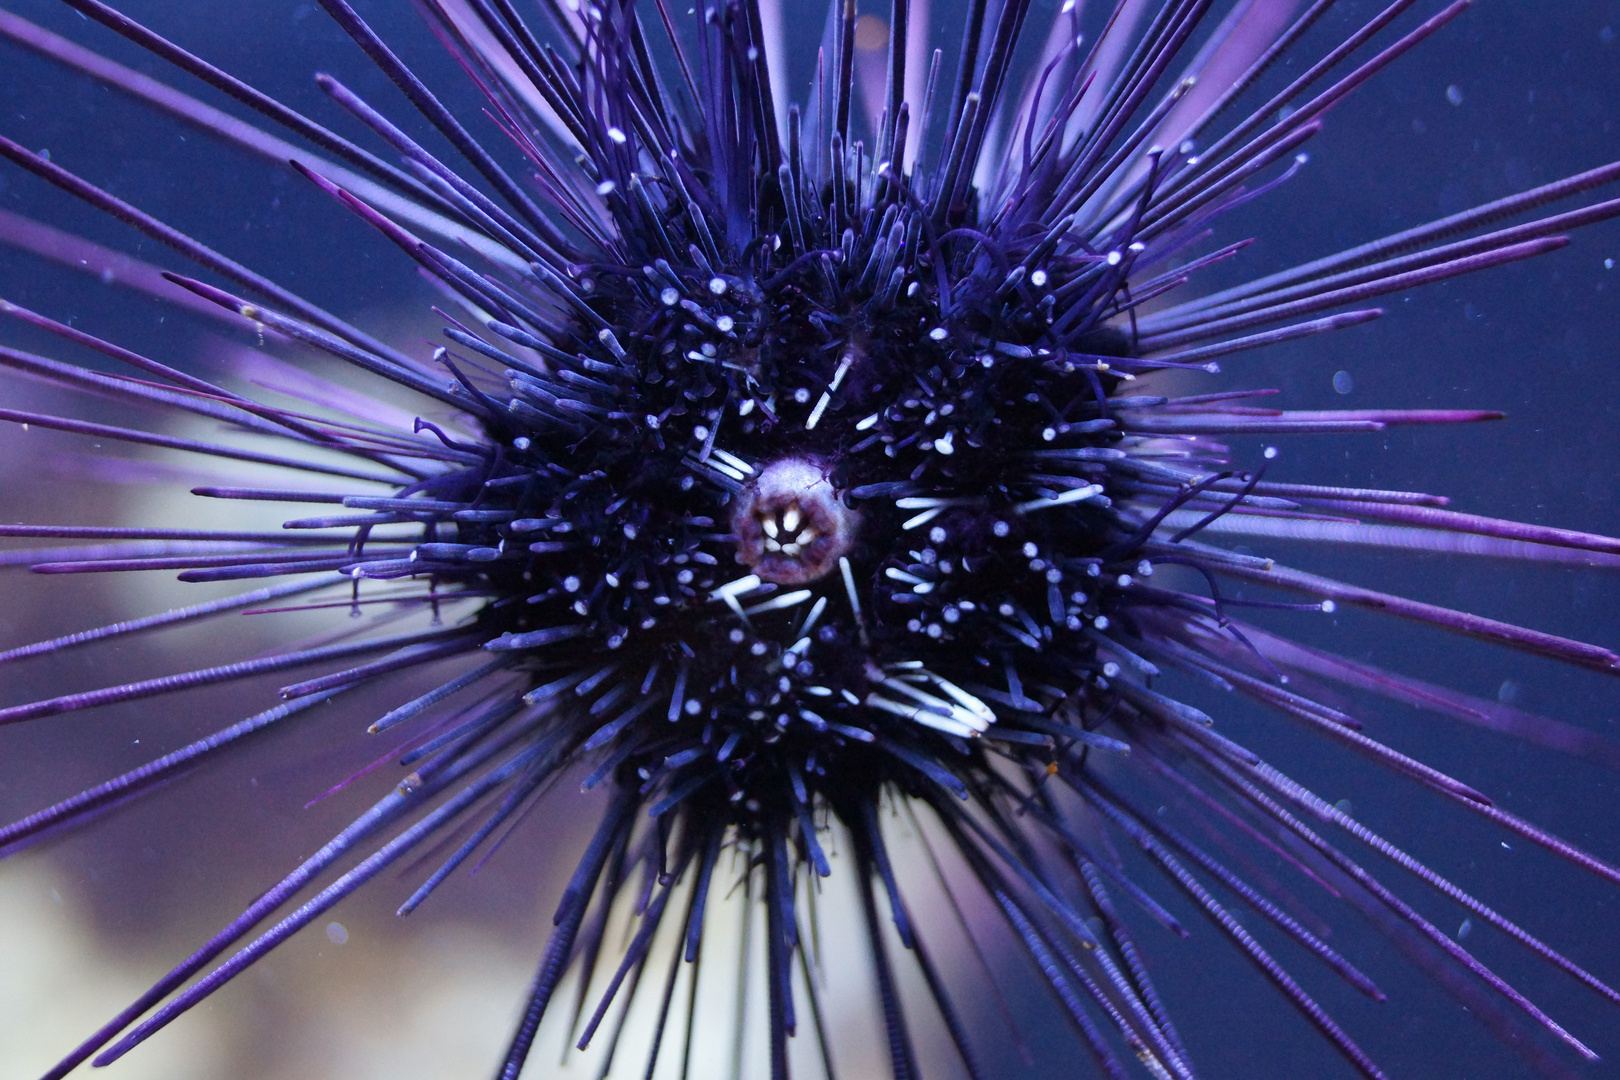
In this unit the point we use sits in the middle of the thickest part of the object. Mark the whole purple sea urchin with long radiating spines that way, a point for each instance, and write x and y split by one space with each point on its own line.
710 307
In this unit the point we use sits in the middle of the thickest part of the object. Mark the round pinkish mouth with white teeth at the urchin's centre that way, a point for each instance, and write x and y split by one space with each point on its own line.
791 525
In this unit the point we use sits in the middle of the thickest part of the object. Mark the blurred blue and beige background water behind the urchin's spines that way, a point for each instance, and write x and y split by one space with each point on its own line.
1511 96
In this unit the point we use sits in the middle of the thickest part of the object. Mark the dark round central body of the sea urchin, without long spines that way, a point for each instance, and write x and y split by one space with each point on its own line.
903 487
